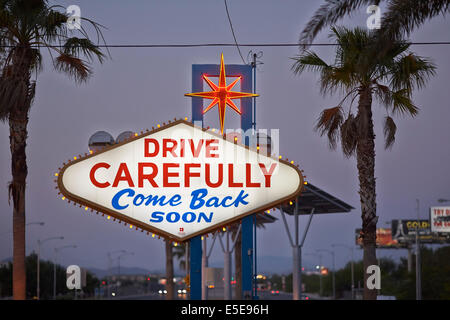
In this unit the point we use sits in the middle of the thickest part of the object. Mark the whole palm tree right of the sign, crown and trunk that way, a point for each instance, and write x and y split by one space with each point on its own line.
360 72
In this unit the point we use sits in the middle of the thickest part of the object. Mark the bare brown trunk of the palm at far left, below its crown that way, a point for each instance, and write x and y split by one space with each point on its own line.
18 135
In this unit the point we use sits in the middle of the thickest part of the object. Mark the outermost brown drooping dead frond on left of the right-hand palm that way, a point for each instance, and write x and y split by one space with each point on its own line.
329 123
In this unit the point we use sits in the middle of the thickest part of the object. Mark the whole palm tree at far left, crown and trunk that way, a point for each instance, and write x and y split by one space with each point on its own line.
27 26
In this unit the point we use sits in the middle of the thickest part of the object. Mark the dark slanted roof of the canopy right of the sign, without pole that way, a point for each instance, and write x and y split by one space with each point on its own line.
322 202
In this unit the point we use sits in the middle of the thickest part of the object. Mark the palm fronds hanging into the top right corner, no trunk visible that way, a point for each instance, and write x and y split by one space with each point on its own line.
400 18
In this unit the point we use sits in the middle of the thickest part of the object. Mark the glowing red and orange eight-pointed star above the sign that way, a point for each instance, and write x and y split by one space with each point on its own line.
221 94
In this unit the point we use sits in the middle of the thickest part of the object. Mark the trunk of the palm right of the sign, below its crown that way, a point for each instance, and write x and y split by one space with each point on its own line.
365 154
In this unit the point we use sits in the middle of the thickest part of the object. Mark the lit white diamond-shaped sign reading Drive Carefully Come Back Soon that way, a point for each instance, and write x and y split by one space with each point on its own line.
179 181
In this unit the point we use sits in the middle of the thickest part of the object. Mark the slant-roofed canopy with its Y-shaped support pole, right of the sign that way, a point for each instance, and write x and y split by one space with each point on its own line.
312 200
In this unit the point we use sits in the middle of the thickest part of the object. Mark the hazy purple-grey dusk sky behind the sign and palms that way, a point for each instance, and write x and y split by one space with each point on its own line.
140 87
